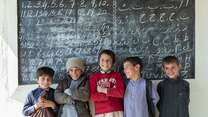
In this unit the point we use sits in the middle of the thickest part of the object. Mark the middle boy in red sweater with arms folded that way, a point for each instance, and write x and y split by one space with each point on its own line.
107 87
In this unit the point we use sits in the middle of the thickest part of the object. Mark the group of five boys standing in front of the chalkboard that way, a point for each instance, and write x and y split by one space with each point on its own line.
108 94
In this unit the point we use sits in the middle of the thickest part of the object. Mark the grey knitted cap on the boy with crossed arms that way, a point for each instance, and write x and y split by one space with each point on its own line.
75 62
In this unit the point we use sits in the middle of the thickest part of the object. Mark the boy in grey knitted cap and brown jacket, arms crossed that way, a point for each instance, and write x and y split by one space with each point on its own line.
72 92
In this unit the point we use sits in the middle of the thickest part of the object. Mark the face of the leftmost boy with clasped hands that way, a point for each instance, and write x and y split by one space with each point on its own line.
44 81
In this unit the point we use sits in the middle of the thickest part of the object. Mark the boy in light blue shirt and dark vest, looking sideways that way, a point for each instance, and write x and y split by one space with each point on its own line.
140 96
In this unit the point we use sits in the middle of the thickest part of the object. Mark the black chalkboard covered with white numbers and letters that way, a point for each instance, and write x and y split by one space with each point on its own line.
50 31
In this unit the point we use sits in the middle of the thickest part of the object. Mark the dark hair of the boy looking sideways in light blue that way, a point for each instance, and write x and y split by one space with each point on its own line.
134 60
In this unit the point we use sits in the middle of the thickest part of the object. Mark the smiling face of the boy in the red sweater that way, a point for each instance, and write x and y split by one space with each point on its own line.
105 62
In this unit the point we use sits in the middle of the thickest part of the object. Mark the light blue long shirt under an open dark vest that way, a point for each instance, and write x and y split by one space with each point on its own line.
135 102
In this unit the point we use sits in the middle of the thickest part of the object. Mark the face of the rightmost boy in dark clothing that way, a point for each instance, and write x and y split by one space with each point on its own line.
171 70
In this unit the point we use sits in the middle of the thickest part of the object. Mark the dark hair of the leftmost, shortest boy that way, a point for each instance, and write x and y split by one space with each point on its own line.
45 71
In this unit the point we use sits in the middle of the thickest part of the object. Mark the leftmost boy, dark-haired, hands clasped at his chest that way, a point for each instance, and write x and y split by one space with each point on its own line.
35 99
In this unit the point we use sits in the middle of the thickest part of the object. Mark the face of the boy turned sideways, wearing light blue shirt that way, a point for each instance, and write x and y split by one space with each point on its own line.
130 70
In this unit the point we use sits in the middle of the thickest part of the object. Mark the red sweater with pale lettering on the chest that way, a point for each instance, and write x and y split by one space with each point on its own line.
113 100
